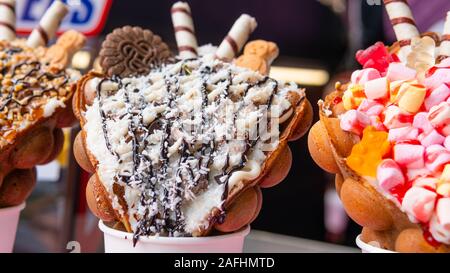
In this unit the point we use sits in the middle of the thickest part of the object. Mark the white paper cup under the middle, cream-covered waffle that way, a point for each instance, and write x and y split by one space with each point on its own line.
122 242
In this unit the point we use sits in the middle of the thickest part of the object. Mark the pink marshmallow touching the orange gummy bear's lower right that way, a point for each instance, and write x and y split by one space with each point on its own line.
389 174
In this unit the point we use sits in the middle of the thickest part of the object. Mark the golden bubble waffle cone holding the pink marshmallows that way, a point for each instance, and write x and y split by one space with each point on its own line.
384 224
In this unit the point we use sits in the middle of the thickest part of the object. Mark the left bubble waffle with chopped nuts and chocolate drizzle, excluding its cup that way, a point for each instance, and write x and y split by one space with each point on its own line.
31 134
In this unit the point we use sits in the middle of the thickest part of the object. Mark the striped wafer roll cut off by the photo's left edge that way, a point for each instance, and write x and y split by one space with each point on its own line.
7 19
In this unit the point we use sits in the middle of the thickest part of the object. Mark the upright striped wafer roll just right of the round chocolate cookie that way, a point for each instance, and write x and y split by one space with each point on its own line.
184 30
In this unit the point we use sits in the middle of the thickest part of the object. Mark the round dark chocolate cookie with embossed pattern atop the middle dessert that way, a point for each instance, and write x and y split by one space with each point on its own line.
132 51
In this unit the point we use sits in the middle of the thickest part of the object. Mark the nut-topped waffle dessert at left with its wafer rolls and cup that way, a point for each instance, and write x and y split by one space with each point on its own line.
36 92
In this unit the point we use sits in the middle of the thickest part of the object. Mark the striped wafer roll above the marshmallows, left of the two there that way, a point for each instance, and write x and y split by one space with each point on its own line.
403 23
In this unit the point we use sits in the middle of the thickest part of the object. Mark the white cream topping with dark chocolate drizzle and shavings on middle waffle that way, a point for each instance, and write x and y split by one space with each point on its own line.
180 138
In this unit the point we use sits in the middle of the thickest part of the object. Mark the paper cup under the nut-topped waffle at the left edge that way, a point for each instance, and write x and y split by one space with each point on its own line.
9 219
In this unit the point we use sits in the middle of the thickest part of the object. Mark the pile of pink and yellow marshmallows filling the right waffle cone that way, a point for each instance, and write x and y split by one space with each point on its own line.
415 113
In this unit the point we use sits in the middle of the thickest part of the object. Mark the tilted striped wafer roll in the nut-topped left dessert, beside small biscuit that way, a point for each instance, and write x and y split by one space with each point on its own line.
48 25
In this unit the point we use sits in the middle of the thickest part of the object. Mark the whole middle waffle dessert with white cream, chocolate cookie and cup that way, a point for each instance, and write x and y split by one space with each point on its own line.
168 142
